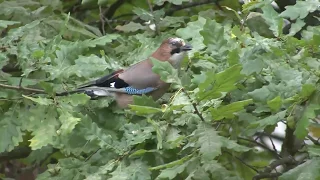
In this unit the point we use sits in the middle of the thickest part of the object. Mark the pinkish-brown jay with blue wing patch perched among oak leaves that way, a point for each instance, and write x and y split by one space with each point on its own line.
139 78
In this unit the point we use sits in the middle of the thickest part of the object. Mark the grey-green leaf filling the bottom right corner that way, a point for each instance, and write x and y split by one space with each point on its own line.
309 170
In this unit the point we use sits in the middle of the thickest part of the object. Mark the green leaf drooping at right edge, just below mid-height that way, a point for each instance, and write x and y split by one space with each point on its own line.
301 127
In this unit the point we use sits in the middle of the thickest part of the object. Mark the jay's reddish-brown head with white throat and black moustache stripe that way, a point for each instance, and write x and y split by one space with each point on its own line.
172 50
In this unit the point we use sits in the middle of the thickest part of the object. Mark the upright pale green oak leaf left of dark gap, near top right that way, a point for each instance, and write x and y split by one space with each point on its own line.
273 20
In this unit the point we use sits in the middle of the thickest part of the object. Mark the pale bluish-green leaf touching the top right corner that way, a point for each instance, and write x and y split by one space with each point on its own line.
300 10
